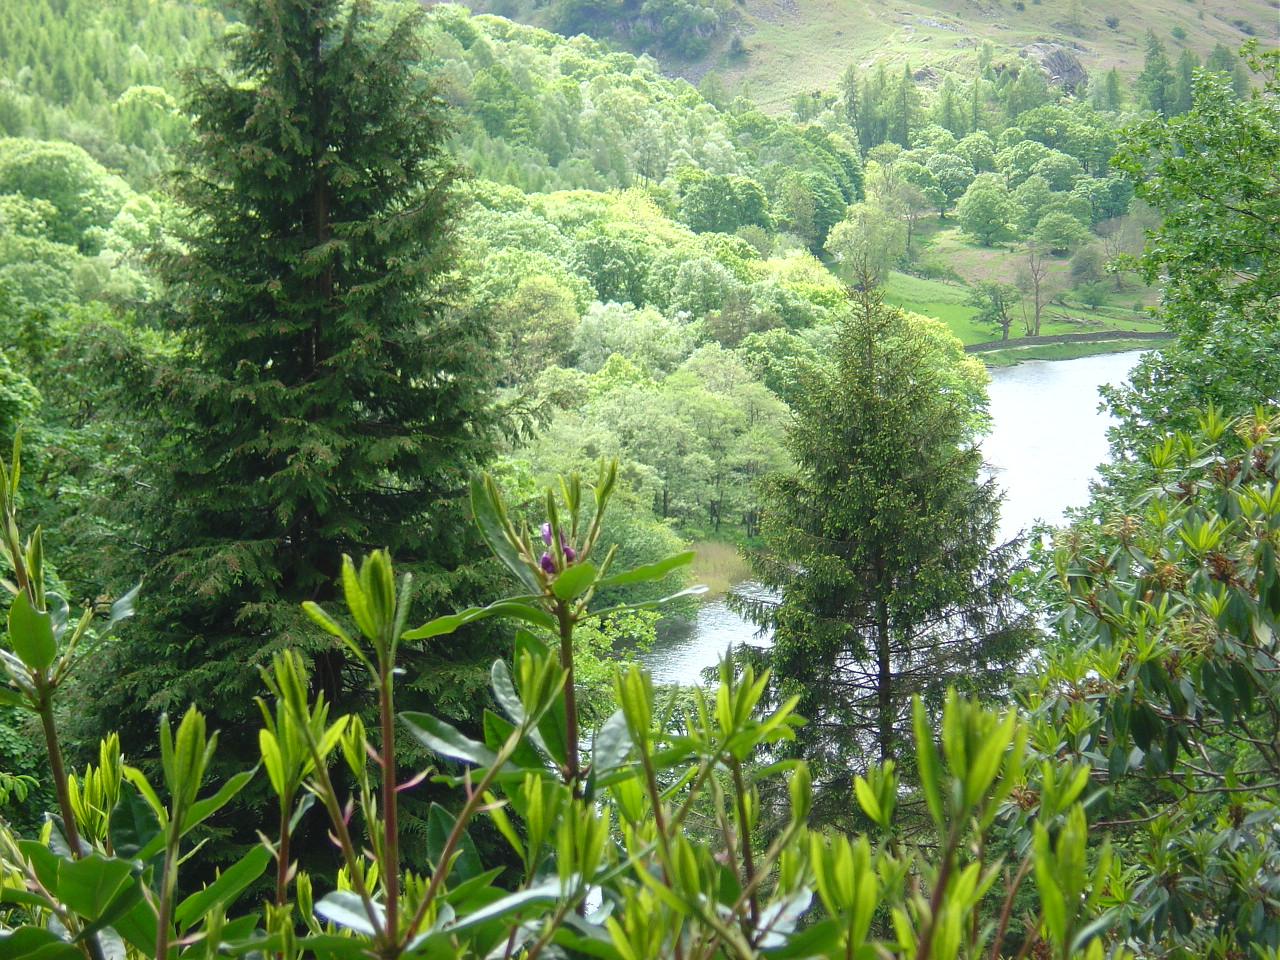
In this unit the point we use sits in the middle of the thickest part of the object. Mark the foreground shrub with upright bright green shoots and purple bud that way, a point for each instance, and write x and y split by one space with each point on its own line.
661 813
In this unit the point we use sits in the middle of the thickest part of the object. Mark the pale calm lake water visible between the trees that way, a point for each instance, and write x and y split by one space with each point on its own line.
1045 446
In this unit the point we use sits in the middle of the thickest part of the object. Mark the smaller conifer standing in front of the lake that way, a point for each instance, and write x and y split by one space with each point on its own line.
883 542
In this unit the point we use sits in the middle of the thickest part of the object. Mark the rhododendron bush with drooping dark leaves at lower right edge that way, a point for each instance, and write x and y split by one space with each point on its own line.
1164 679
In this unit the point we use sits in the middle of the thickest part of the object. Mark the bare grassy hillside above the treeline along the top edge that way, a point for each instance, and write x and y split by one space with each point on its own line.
778 49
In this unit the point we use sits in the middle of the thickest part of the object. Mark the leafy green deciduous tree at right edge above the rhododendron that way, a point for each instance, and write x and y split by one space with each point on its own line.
1208 173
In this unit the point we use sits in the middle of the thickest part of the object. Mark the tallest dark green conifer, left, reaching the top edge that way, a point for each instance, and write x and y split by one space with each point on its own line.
327 399
